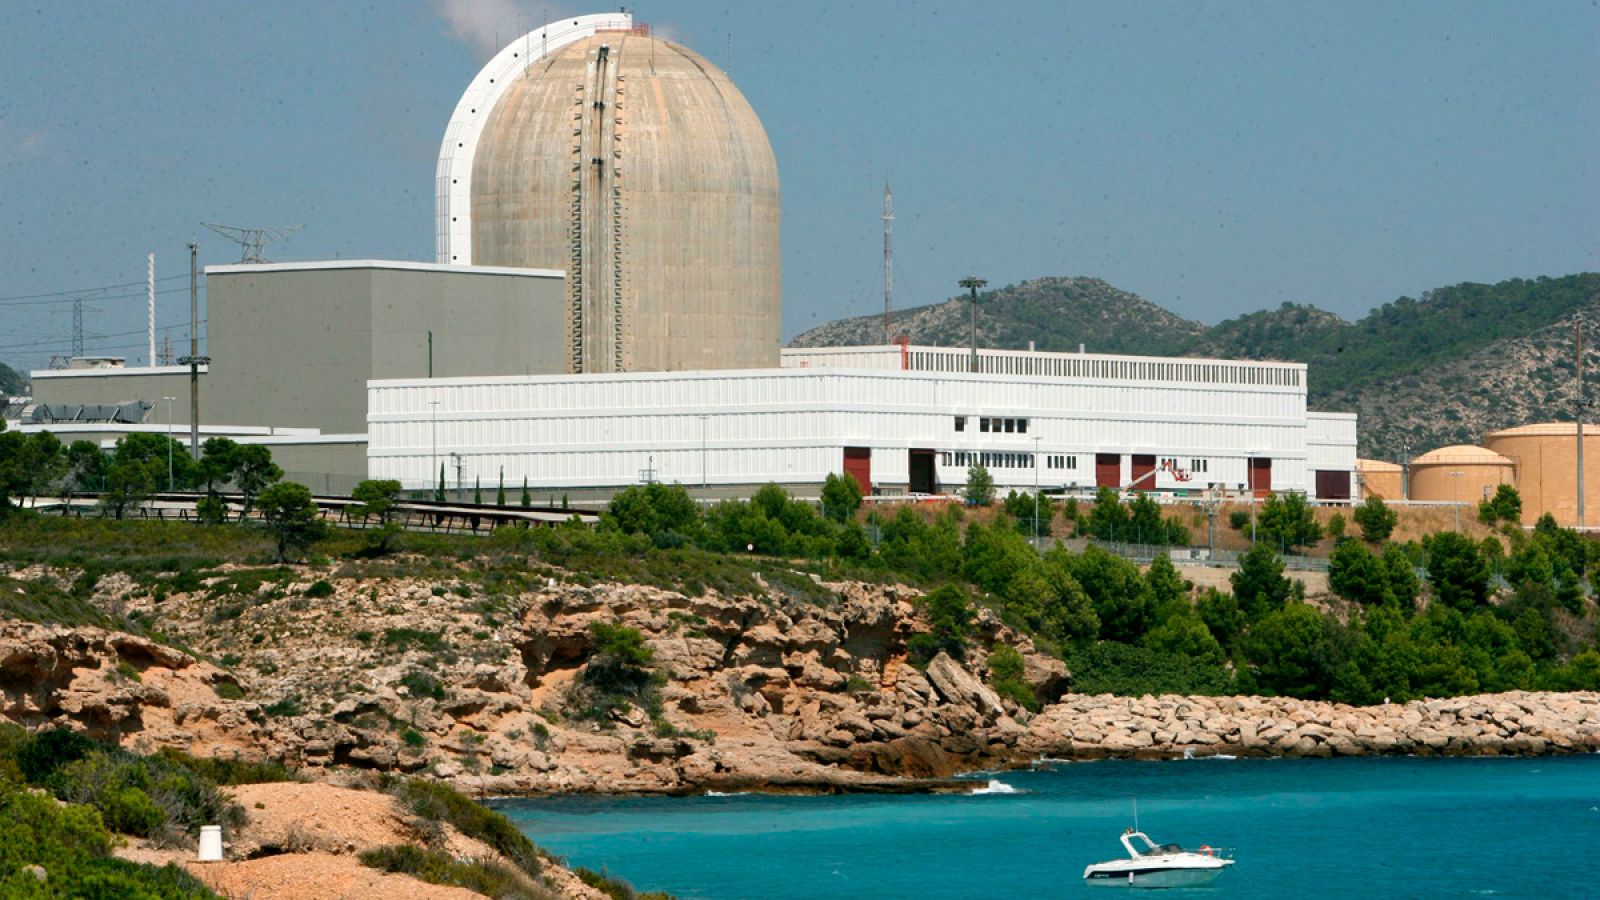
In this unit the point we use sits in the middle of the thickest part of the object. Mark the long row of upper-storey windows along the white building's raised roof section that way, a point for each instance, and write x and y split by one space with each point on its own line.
1068 366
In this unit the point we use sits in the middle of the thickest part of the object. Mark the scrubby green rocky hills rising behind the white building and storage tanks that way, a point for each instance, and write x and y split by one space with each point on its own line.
1422 372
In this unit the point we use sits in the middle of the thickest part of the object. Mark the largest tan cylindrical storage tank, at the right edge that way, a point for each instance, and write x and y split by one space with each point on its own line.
1546 460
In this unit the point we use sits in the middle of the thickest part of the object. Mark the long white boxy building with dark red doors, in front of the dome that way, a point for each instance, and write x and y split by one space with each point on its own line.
902 420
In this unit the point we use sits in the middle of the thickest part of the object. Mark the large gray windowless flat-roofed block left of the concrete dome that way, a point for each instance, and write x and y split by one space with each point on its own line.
295 344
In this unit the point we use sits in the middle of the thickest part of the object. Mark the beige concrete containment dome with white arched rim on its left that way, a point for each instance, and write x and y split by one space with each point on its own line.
639 169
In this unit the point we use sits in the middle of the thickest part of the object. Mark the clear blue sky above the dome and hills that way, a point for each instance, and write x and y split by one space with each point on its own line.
1215 158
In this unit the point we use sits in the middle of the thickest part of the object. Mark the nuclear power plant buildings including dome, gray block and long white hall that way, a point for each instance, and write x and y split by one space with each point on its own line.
604 310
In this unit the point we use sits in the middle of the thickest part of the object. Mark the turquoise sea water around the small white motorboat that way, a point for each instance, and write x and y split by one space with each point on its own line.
1300 829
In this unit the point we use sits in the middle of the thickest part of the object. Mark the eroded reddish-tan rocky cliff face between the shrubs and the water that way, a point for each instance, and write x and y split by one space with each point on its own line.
401 675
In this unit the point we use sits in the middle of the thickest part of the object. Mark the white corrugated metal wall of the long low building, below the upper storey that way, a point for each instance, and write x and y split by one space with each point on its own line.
793 425
